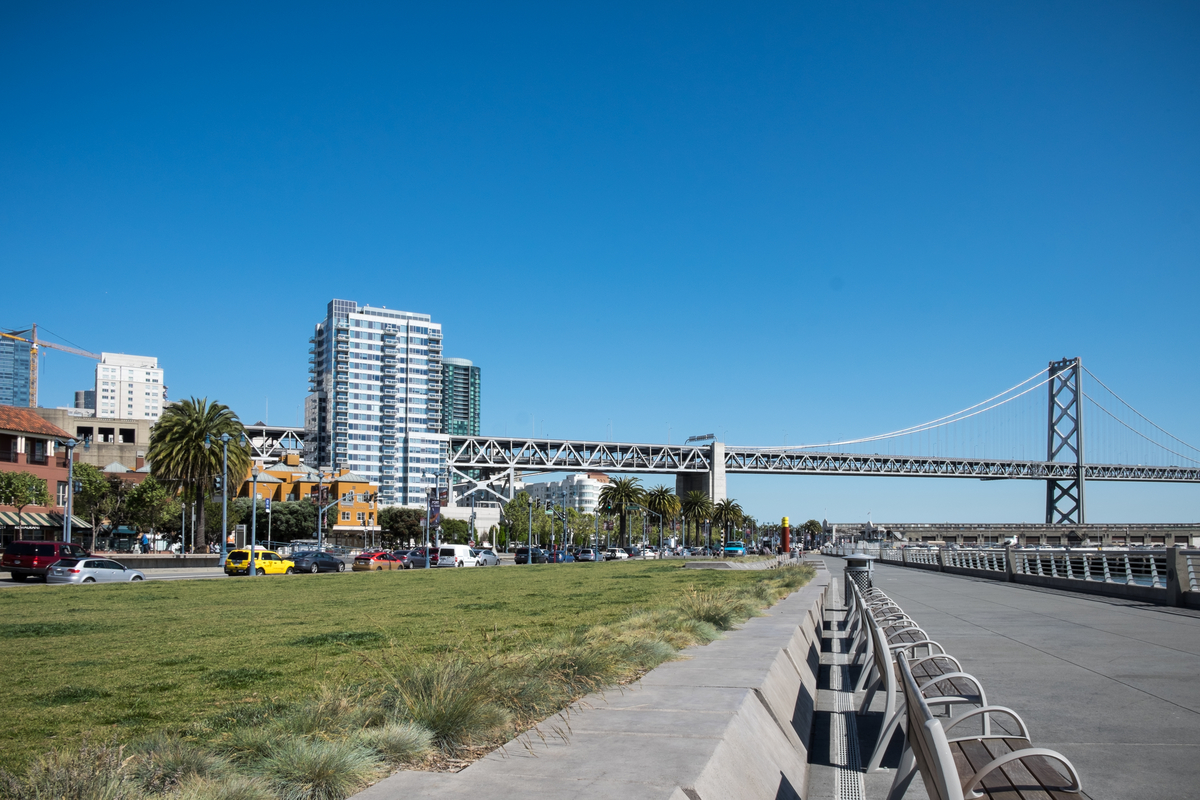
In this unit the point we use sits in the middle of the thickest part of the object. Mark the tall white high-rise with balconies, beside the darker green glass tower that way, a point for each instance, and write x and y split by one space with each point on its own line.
376 400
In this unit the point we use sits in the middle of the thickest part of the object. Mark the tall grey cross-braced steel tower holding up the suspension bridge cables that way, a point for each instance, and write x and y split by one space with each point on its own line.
1065 442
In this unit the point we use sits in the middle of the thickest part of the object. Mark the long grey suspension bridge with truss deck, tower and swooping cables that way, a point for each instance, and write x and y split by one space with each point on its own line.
991 441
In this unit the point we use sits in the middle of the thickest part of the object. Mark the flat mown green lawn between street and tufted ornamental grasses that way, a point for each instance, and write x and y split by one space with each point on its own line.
125 661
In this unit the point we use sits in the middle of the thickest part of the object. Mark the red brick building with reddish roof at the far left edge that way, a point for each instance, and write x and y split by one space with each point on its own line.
28 446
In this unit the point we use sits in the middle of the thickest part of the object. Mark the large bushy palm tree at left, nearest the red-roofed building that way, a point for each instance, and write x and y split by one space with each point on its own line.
179 459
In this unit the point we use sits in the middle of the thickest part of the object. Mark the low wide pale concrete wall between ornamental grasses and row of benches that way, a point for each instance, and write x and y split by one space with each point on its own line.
730 721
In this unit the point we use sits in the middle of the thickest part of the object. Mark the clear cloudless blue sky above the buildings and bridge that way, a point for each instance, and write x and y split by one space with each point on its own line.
793 220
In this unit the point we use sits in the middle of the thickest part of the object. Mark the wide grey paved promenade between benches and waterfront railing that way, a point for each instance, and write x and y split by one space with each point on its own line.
1113 684
